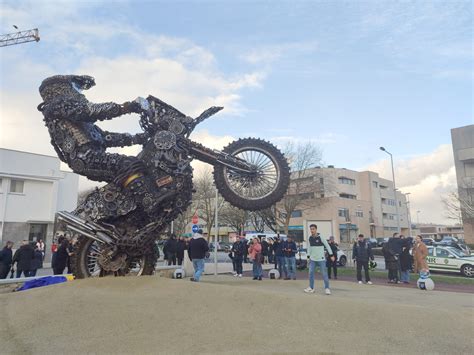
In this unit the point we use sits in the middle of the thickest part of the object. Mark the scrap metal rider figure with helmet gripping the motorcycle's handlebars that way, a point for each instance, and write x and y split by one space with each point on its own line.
81 144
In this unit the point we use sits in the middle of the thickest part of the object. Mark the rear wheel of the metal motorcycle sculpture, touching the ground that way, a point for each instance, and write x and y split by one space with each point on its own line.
84 261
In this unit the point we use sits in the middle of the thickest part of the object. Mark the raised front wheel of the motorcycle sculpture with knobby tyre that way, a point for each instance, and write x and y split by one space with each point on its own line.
266 185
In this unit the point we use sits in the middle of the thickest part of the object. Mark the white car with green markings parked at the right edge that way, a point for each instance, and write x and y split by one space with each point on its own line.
449 259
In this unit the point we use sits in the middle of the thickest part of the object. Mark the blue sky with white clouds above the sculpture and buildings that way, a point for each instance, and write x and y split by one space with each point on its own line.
348 75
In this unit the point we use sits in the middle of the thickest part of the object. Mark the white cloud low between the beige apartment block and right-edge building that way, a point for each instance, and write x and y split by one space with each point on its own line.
427 177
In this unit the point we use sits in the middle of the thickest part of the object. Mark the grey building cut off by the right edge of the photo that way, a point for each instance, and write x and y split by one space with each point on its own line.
463 150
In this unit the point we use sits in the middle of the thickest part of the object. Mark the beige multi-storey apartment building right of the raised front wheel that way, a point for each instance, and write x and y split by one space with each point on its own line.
344 203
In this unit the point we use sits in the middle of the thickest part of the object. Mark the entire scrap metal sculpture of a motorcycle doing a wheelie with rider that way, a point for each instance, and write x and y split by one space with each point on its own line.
118 223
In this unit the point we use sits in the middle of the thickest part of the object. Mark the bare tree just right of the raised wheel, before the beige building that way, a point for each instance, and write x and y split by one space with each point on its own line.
306 187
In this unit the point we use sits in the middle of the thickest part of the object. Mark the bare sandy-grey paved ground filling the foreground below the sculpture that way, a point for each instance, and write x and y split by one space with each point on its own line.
145 315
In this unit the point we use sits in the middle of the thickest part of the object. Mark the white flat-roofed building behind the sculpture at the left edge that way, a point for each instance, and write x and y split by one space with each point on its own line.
32 190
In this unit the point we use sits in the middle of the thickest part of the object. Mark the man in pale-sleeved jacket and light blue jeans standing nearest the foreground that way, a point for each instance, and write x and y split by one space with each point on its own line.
316 257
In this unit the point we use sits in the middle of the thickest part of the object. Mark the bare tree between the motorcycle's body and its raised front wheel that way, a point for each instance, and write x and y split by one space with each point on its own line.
205 199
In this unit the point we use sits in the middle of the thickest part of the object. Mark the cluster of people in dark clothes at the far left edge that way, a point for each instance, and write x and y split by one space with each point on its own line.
28 258
